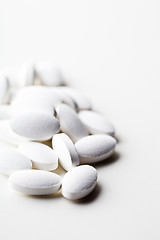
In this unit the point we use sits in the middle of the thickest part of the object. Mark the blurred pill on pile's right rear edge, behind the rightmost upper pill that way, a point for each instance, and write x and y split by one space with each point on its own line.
79 98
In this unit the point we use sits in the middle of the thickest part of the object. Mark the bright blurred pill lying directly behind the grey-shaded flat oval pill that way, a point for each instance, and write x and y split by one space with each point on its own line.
35 98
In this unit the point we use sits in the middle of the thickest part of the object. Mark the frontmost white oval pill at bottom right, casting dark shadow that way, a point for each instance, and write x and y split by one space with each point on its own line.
79 182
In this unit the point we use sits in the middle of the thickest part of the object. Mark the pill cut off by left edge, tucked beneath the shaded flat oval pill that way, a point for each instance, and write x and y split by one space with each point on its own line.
8 135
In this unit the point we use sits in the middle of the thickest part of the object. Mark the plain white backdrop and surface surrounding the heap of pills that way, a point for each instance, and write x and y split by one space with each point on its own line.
110 50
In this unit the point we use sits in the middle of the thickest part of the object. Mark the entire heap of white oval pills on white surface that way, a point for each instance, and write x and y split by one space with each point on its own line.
35 108
